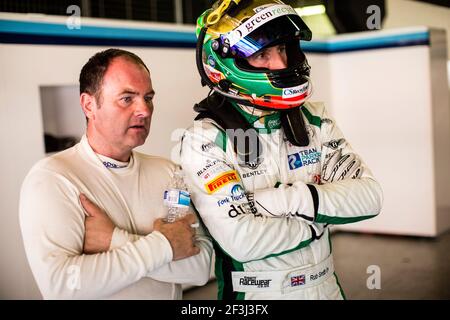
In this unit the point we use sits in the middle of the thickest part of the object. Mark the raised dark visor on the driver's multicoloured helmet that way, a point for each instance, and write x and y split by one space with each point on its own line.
279 30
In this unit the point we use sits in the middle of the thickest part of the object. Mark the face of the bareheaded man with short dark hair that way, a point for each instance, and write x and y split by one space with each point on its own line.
122 117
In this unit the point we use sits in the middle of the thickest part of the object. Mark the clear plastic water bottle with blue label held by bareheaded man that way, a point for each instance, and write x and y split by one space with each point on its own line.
176 197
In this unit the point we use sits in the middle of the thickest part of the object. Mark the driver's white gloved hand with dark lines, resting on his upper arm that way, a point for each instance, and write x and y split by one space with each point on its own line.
339 167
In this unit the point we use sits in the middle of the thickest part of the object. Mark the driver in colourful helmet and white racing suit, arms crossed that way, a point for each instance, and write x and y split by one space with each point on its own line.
268 171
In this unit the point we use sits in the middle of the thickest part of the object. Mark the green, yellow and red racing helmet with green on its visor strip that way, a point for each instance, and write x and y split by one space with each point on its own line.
231 31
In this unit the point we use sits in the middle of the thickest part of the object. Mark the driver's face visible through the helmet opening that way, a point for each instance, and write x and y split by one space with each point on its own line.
272 58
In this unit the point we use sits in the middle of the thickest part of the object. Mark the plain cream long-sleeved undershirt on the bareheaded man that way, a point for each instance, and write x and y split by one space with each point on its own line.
138 264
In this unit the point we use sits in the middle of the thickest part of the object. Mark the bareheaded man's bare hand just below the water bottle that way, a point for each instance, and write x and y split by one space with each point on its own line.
180 234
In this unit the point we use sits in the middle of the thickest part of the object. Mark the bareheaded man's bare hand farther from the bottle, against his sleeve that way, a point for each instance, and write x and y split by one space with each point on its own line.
98 228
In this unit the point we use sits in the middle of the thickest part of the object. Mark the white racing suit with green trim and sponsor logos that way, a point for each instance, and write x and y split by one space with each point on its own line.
269 220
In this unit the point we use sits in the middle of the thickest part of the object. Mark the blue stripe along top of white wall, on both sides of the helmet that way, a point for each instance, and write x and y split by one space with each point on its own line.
58 34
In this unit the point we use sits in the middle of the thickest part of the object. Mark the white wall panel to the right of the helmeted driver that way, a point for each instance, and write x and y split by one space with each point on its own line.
392 105
